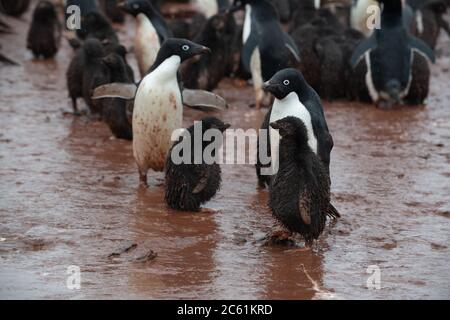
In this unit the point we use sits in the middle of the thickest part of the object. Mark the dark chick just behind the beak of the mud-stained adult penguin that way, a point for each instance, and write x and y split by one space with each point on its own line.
207 71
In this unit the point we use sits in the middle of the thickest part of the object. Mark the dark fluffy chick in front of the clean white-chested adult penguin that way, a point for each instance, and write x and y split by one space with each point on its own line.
300 191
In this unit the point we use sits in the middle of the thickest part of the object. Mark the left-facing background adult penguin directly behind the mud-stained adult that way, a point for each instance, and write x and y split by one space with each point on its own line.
152 31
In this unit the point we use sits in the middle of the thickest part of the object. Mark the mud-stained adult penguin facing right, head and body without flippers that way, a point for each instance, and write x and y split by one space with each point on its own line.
158 105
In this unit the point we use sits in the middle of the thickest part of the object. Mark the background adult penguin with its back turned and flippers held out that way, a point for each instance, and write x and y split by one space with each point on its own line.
391 67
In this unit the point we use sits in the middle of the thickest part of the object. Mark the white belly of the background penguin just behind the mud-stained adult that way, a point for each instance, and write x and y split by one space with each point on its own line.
147 43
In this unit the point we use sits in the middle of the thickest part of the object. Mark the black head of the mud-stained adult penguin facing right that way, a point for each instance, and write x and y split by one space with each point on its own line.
182 48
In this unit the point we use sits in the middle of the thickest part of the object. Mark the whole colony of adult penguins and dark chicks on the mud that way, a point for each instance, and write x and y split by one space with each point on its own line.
293 52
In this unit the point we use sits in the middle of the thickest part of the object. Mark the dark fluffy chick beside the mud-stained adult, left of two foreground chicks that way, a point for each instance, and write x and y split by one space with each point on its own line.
190 185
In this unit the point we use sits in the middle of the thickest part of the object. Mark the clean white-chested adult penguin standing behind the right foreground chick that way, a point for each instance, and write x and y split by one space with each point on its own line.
294 97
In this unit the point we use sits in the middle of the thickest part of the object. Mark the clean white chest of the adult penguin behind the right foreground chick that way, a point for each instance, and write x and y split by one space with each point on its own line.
291 106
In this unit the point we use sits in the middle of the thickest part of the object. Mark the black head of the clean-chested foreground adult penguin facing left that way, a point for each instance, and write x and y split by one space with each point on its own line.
284 82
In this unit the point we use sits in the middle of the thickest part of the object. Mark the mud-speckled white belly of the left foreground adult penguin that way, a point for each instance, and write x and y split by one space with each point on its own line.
157 113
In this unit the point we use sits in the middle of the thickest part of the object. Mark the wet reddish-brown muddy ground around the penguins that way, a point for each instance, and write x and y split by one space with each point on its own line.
69 195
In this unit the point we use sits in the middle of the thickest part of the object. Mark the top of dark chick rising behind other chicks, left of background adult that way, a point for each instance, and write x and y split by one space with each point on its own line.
95 25
